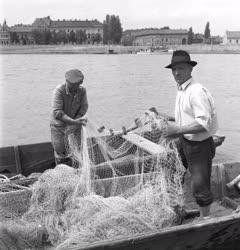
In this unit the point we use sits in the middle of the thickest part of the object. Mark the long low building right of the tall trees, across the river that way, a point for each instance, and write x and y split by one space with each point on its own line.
157 37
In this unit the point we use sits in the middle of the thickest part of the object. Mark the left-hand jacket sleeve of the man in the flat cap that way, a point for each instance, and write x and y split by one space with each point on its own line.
57 104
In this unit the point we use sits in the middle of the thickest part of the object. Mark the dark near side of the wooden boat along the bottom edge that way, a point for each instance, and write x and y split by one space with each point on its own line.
219 233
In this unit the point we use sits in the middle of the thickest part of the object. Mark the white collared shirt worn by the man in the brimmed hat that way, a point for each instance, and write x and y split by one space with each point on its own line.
195 103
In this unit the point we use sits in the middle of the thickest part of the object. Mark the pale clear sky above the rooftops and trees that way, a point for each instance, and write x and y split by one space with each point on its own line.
134 14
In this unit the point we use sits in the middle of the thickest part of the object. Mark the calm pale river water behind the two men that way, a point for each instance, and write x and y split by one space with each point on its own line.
119 88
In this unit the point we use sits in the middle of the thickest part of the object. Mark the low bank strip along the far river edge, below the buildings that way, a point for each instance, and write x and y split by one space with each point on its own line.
115 49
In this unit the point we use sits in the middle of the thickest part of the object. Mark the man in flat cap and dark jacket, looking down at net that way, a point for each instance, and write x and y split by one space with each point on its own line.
69 105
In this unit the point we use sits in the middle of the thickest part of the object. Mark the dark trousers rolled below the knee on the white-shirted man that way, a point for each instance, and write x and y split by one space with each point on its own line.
197 157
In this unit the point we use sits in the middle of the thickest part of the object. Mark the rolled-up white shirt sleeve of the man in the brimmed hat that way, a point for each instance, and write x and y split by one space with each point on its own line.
202 108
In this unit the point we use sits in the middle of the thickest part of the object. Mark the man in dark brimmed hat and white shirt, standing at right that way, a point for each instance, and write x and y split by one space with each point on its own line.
195 124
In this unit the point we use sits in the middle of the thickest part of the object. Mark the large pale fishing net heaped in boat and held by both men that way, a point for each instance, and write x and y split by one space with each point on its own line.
121 184
